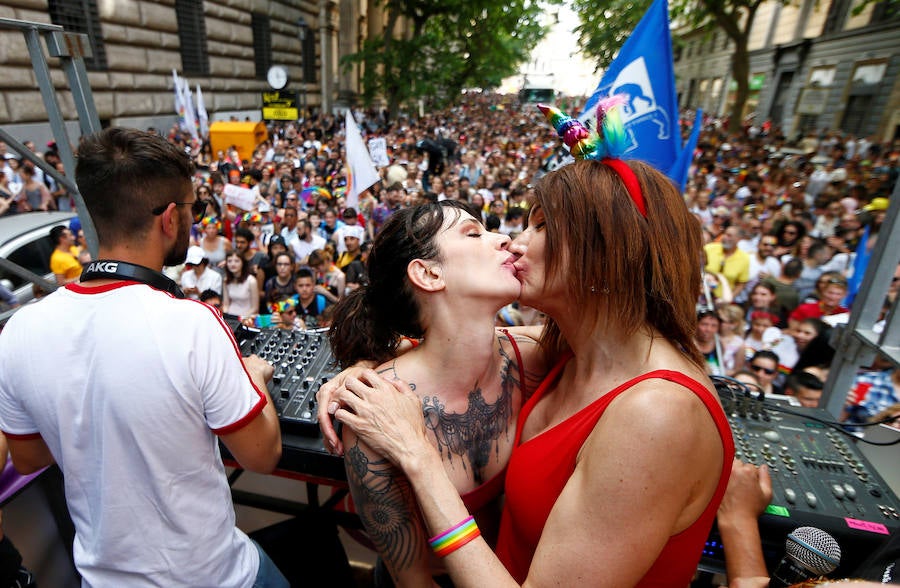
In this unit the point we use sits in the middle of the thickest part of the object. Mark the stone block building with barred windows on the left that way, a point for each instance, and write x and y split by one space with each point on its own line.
224 46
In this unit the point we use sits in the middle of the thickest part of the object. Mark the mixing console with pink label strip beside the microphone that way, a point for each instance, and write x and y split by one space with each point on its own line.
819 477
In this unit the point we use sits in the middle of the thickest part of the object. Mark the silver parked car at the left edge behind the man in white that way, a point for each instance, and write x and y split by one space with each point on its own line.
25 241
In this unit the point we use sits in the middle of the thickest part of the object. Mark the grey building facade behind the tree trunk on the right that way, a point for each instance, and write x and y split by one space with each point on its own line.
813 66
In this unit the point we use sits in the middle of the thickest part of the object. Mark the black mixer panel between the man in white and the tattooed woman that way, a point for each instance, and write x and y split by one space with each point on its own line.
303 362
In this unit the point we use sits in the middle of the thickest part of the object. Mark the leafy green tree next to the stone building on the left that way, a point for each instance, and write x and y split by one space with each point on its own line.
448 45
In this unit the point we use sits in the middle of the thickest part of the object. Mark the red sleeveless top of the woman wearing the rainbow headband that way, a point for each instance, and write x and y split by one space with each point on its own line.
540 468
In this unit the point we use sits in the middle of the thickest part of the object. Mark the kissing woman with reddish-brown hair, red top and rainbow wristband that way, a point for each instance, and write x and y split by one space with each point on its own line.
610 254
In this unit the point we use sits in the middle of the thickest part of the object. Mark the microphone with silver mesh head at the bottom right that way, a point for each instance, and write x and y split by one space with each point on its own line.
809 553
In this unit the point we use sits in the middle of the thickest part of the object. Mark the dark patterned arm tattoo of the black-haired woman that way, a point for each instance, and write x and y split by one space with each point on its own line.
386 506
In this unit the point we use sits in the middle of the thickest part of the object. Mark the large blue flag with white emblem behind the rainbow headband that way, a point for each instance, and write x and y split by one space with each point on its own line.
644 71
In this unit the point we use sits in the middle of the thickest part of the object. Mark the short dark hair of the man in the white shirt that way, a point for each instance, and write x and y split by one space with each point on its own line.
123 174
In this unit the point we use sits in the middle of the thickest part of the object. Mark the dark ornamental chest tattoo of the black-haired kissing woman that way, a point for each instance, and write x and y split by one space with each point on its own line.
475 432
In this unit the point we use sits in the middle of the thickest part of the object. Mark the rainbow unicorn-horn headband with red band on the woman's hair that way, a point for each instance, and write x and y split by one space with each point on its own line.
606 145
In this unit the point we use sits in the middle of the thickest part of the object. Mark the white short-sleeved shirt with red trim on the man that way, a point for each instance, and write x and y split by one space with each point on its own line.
129 387
